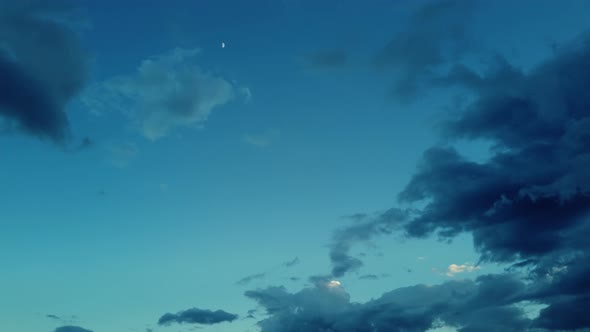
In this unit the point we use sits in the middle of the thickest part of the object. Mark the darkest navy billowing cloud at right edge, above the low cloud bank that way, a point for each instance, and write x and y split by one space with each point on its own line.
535 187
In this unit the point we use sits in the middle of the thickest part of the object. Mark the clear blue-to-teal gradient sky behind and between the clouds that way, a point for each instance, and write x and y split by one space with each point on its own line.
132 228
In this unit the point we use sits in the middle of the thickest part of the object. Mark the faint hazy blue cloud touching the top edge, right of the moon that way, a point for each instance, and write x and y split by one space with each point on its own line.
436 35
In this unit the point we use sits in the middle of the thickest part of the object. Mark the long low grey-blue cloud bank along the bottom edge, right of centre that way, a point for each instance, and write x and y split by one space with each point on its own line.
468 305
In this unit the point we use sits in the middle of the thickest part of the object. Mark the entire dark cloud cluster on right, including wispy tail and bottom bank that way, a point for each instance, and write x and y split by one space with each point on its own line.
527 204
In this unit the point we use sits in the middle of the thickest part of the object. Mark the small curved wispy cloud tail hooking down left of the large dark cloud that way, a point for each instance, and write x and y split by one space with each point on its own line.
361 231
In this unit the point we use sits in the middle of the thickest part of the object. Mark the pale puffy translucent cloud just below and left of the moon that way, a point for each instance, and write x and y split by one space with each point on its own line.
168 91
